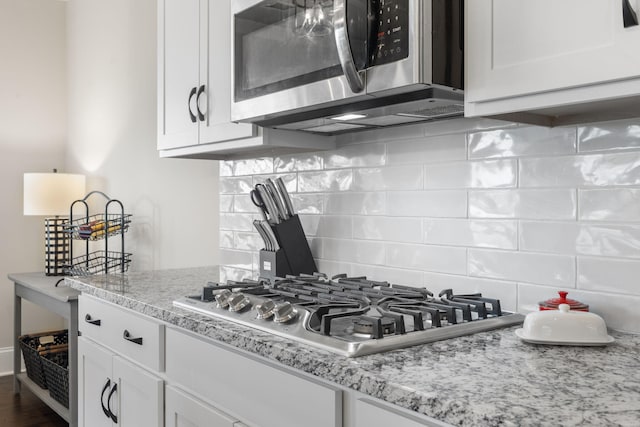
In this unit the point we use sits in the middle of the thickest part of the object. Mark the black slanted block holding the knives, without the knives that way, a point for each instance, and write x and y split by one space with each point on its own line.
294 247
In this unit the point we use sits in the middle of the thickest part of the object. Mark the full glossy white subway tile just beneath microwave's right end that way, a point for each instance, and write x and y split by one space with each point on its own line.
422 150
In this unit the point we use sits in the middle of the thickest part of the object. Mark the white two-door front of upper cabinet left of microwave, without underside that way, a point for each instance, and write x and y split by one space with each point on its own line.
194 74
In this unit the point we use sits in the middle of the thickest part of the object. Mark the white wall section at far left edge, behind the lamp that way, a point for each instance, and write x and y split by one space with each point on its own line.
32 138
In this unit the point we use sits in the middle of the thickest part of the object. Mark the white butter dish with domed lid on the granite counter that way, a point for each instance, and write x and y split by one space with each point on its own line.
564 327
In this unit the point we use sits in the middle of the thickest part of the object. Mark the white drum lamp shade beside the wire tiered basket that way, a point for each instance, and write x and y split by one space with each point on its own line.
50 194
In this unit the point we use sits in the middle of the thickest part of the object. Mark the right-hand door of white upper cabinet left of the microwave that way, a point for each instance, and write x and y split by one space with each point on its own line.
215 74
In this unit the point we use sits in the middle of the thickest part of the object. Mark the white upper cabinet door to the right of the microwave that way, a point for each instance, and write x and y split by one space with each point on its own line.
517 47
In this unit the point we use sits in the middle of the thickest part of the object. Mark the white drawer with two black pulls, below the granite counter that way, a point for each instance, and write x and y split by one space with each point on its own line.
109 325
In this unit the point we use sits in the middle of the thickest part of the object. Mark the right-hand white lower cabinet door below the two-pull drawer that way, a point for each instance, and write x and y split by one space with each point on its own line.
139 396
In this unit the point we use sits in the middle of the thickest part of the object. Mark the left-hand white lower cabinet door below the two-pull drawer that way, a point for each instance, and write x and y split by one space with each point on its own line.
94 384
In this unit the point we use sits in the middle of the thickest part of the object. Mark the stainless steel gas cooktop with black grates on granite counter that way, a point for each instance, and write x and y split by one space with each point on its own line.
352 316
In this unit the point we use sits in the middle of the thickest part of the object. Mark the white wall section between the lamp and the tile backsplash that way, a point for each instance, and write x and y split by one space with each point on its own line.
112 136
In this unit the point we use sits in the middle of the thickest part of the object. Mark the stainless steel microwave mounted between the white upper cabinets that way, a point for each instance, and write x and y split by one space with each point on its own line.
334 66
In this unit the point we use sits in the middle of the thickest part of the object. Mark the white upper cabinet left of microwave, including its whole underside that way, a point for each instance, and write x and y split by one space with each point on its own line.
194 89
